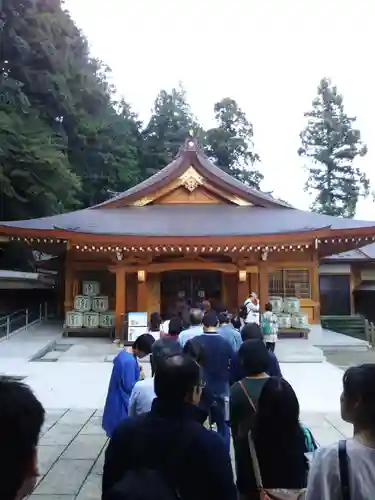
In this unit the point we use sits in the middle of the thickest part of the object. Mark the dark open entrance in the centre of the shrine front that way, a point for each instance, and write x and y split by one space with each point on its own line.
190 287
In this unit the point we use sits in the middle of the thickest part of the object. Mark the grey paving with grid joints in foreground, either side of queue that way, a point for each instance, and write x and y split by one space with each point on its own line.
72 445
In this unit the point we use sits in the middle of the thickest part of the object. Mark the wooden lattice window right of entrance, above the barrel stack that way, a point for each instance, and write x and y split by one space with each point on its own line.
289 283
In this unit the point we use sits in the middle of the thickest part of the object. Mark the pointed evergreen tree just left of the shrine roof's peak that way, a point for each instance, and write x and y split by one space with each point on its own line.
170 124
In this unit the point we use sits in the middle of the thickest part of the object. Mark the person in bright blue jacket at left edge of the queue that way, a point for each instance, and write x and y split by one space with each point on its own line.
125 374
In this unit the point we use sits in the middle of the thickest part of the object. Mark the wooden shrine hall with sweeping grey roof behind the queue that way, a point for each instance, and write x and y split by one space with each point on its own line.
190 229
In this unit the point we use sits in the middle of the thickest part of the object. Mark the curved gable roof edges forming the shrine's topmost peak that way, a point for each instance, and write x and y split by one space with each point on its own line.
191 154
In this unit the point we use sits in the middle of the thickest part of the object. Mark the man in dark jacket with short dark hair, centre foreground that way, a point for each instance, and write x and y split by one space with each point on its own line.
172 440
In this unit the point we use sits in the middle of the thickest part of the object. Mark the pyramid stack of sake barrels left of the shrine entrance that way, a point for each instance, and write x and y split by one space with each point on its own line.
90 309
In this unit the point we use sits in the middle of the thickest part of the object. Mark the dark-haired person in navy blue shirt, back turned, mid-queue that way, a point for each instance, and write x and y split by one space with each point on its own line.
218 356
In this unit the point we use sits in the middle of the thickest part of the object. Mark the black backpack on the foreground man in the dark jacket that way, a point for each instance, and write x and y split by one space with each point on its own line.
144 483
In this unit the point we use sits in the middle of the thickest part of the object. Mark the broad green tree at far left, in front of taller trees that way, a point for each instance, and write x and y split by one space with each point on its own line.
35 176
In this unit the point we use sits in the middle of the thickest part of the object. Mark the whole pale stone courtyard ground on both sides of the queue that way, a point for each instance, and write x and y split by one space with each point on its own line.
71 451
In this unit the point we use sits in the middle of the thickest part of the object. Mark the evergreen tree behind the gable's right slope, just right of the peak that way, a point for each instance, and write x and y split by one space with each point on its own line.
230 144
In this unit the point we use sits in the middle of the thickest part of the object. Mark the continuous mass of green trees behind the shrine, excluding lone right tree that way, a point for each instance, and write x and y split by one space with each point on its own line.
65 142
